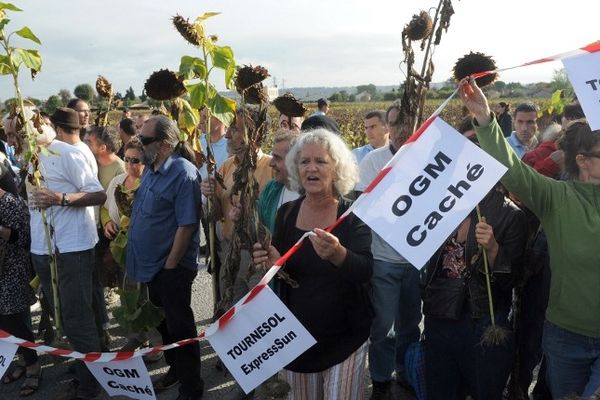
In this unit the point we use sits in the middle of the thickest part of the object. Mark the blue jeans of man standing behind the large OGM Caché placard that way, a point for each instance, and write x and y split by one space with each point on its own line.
397 304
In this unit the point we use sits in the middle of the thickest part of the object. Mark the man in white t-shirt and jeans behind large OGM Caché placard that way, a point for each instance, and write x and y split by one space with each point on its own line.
395 282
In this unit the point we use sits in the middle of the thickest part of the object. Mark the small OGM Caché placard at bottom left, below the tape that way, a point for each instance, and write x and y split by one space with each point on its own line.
124 378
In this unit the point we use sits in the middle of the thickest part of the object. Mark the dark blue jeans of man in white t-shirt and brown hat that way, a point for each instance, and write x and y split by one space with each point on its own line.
75 271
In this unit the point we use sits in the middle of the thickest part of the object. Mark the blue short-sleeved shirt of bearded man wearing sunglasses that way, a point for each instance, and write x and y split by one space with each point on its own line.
166 199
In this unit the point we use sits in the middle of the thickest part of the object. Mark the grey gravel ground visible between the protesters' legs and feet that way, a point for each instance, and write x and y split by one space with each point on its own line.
218 385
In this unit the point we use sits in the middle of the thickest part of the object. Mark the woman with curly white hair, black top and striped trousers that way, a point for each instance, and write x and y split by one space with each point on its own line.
332 269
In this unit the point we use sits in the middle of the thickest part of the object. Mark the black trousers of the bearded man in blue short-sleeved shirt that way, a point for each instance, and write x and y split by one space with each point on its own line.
172 290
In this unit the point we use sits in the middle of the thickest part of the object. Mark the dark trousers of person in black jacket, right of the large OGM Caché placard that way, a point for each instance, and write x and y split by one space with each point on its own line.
456 364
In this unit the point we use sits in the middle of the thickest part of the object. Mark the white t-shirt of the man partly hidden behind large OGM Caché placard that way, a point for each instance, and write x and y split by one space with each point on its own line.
369 167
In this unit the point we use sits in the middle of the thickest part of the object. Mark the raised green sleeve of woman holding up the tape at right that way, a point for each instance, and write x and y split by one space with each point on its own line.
539 193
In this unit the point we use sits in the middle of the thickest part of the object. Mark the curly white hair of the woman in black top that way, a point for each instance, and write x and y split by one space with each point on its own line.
344 163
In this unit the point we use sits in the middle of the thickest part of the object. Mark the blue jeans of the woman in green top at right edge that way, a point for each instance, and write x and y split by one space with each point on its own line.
573 362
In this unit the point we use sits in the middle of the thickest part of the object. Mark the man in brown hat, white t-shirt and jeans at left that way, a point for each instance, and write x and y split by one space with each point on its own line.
70 190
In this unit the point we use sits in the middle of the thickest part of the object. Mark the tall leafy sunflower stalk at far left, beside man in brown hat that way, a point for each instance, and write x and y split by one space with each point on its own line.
14 61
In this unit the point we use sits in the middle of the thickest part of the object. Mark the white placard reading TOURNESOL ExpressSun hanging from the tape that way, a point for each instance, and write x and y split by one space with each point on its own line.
260 340
